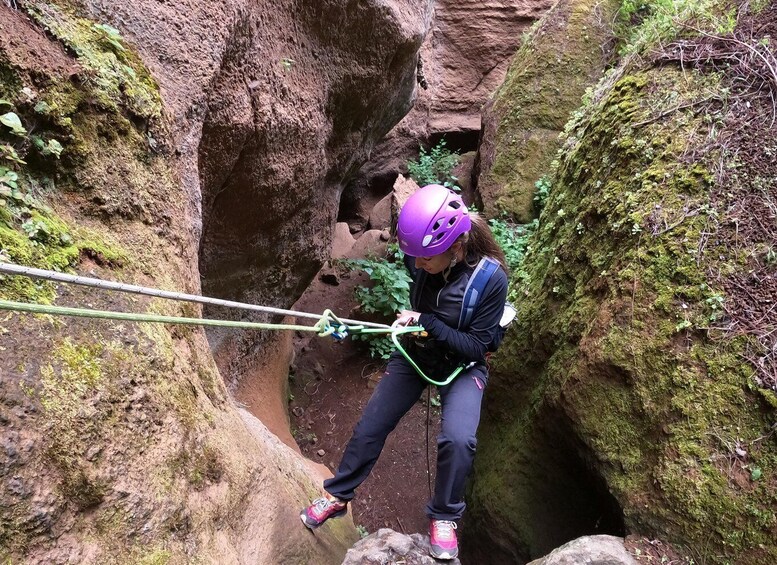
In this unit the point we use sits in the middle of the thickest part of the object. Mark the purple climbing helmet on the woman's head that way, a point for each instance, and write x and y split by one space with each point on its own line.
431 220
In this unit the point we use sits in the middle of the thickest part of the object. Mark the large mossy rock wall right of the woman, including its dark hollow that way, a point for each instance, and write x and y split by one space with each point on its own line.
624 398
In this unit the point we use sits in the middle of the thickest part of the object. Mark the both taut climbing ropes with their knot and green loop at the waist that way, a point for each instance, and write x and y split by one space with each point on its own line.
327 324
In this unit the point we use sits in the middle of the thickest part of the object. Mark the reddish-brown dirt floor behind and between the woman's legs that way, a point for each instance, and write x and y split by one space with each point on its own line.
330 385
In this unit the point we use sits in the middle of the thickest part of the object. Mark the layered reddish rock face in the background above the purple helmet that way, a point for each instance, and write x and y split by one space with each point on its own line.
465 58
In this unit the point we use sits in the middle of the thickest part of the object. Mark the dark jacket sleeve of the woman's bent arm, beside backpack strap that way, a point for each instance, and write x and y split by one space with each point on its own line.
472 344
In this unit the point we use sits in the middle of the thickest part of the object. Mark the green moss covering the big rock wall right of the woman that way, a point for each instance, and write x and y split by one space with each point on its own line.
610 331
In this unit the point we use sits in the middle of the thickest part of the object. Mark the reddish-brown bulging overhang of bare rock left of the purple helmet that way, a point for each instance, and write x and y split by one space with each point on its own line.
273 107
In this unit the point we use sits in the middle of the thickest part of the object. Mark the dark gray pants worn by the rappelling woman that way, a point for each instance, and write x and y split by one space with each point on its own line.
395 394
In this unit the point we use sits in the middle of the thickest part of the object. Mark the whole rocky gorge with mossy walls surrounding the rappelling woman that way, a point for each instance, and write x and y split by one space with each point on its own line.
625 153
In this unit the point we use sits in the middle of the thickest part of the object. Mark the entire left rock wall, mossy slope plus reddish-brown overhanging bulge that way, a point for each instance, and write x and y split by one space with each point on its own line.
191 135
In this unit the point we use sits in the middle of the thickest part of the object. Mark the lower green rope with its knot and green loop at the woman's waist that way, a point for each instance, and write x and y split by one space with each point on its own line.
323 327
